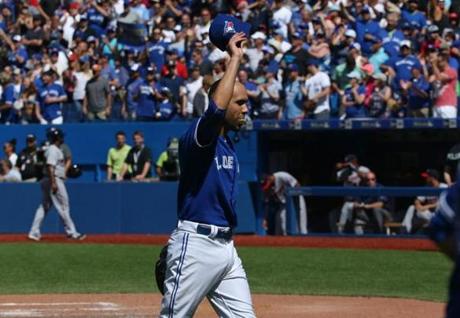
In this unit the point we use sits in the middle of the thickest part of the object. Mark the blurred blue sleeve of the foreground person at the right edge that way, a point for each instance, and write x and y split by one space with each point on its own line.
442 224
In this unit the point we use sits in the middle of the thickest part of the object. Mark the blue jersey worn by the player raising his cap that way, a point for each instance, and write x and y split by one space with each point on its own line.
209 172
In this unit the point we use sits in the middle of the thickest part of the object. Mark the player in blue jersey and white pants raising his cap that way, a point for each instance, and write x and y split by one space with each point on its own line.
201 260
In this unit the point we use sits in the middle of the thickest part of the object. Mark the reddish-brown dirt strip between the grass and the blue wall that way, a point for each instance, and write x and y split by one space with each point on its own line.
392 243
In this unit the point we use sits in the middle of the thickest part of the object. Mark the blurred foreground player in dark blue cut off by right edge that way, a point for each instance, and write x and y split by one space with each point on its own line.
444 229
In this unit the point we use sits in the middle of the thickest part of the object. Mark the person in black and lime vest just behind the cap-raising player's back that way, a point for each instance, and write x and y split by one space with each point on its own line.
167 165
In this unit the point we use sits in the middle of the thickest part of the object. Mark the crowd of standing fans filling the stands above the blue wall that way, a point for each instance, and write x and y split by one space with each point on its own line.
114 60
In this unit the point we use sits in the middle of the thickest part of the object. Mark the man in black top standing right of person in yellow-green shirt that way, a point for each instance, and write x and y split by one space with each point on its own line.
138 161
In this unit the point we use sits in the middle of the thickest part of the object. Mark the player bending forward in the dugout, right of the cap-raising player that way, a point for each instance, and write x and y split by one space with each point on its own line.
277 183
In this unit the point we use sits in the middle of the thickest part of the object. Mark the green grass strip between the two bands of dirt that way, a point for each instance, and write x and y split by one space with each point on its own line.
90 268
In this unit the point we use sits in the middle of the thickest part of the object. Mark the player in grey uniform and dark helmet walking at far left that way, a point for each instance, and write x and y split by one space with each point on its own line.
53 188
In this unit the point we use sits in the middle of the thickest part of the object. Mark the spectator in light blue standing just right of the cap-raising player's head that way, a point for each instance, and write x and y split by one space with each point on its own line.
293 108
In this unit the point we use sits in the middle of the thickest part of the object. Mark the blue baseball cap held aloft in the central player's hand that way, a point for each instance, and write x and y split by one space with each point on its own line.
223 27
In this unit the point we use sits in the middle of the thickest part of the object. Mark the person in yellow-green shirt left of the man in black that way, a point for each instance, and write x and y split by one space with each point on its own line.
117 156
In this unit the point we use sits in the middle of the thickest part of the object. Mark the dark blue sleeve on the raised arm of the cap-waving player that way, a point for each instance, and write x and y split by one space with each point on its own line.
209 125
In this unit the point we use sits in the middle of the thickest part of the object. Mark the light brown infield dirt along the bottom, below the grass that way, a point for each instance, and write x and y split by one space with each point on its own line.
267 306
